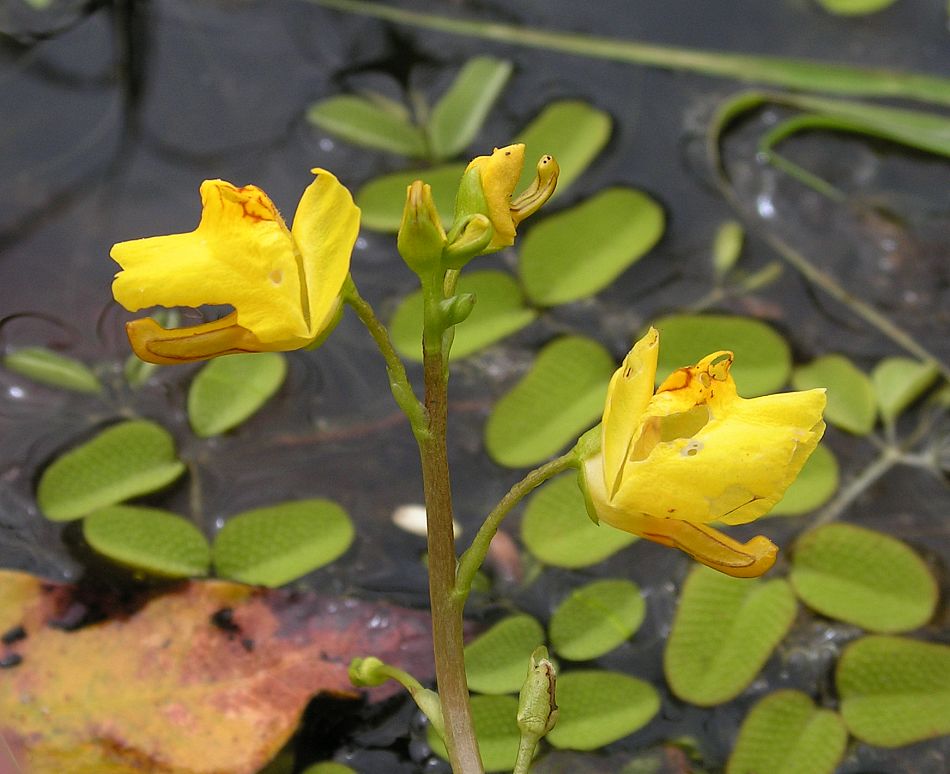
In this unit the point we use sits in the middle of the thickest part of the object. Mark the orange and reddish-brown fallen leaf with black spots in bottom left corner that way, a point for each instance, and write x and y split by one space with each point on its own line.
207 678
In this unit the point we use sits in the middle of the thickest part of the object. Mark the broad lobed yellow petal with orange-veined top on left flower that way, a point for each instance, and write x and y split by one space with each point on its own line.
241 254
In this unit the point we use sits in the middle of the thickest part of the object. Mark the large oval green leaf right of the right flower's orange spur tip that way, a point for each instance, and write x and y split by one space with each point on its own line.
863 577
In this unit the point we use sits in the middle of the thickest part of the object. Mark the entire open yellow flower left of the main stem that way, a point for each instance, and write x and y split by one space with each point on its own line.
283 284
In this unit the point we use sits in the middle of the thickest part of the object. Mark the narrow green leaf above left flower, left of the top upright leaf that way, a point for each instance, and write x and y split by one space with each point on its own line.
362 122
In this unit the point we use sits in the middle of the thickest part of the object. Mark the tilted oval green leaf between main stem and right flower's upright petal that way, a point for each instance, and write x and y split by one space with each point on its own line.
560 397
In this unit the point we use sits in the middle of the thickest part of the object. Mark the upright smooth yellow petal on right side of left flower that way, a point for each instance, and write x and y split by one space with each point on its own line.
325 228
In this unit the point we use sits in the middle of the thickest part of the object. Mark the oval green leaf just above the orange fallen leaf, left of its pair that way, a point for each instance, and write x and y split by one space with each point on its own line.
147 539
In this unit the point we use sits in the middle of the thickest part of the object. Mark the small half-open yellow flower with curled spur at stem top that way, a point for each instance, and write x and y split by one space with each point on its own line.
487 187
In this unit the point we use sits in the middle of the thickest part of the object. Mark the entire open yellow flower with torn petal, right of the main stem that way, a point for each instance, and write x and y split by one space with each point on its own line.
694 453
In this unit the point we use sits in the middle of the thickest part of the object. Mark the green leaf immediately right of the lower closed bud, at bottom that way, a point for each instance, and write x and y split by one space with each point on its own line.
597 708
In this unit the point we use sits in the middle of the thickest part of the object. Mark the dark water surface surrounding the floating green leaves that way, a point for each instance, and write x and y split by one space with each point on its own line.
114 112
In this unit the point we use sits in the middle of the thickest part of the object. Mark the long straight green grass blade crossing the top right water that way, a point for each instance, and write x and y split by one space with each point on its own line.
800 74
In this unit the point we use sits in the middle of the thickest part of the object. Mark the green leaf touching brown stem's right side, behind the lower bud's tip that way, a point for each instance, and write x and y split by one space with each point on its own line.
497 660
